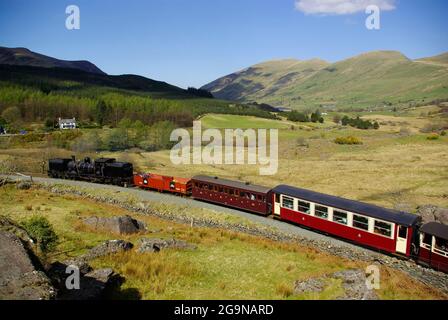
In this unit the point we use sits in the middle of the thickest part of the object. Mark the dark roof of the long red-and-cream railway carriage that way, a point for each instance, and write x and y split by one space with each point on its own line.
399 217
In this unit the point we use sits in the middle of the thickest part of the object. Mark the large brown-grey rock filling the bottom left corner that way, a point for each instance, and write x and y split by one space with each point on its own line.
19 279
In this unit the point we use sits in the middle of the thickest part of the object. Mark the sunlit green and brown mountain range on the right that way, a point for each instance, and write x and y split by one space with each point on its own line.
369 79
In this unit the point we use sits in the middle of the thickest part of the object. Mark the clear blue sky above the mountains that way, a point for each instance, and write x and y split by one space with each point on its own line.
192 42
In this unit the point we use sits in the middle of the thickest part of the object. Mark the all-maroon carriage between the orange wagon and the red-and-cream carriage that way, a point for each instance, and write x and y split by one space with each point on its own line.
230 193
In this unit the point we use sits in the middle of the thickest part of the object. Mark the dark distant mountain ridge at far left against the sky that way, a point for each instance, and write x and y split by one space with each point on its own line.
25 57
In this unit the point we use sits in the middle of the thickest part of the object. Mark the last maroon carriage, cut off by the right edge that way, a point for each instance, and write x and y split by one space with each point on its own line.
434 246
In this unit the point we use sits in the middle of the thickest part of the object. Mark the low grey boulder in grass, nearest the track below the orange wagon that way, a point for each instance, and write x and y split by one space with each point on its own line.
118 225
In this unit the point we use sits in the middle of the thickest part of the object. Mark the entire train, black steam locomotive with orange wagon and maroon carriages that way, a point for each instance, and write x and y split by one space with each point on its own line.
386 230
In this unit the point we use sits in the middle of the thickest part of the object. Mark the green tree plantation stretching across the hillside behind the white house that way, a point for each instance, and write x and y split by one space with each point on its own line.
105 106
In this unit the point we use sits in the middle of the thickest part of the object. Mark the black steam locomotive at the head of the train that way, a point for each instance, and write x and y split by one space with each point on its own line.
103 170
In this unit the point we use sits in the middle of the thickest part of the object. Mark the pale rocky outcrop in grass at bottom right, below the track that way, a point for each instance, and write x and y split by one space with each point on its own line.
353 283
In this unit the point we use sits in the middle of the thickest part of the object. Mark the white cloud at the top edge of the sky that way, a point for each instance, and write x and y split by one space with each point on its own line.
340 7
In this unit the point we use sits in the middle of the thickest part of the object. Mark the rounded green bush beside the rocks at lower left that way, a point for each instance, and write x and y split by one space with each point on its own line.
42 233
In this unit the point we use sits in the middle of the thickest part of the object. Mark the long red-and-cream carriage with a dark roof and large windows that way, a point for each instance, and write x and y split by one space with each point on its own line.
369 225
